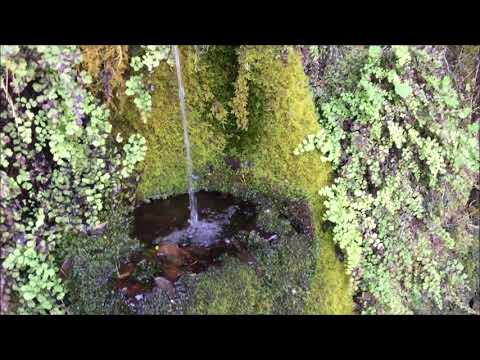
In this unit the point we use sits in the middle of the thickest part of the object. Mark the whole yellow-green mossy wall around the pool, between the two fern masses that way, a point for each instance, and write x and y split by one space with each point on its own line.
265 90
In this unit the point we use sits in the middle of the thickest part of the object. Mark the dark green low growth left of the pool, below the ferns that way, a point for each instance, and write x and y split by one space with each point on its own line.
95 266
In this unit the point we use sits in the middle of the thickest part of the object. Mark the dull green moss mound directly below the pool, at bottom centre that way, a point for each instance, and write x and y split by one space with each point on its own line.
234 289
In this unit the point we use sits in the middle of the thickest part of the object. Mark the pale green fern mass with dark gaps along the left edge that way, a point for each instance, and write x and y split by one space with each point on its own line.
59 166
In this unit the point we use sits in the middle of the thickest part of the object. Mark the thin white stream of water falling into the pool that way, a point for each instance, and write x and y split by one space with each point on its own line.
186 141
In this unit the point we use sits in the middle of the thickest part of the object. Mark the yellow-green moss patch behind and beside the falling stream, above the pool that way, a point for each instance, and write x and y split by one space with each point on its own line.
164 170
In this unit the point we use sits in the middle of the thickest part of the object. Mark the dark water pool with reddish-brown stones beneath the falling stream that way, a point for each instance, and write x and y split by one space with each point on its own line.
171 247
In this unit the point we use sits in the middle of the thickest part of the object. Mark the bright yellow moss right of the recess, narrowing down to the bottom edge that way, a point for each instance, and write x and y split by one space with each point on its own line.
279 113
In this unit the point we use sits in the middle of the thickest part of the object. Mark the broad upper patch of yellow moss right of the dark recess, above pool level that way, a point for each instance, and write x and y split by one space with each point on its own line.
280 112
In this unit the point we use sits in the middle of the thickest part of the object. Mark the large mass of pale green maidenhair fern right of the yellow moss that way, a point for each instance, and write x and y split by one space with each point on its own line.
405 155
